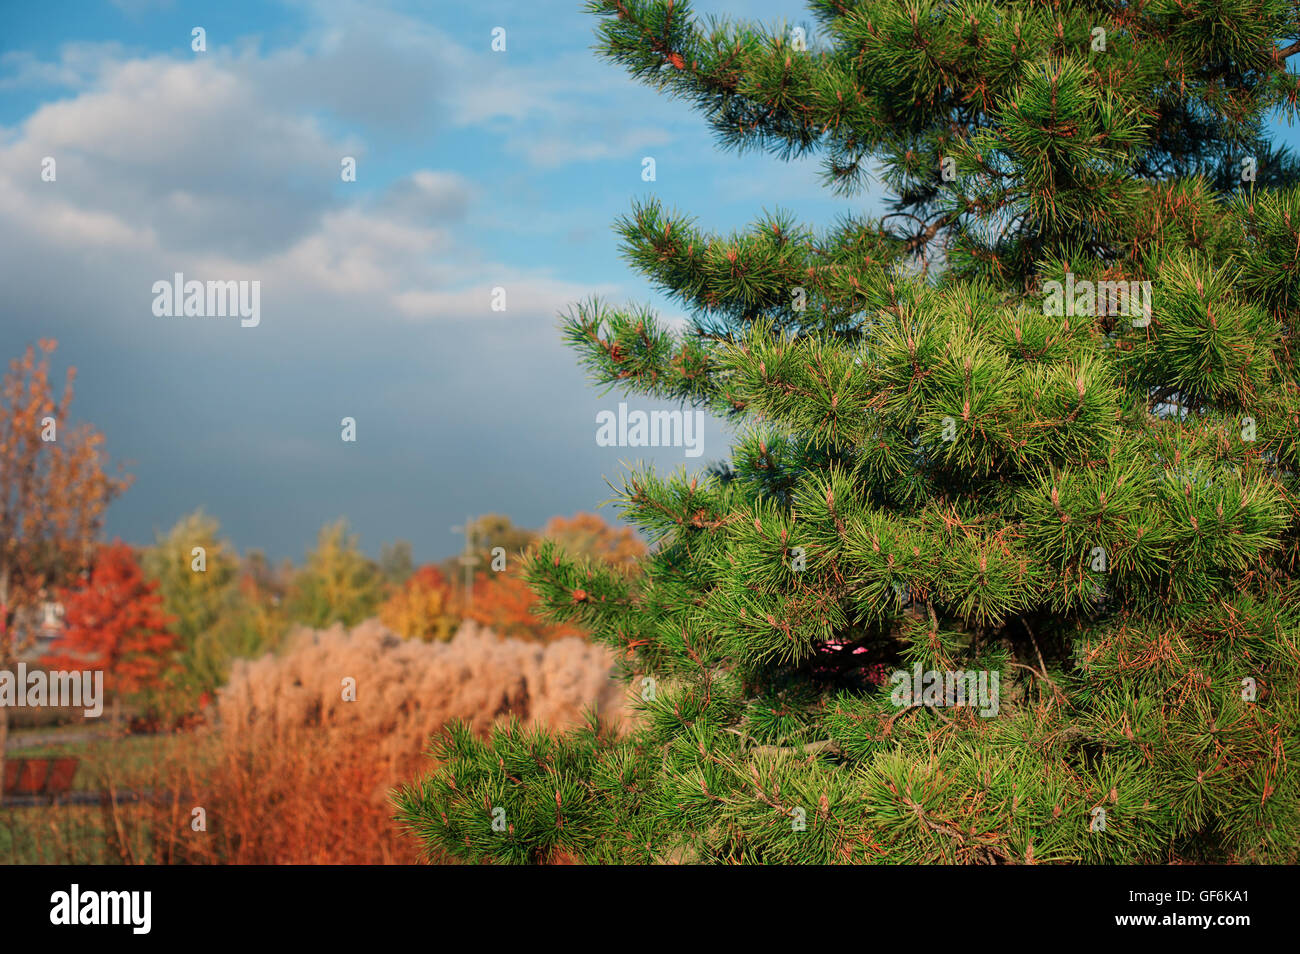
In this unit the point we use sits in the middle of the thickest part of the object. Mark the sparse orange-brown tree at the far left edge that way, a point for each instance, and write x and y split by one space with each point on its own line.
54 492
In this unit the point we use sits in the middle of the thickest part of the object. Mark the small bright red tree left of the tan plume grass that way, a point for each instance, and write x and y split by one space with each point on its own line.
115 622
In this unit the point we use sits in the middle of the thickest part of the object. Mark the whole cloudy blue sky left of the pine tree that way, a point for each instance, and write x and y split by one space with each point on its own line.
475 170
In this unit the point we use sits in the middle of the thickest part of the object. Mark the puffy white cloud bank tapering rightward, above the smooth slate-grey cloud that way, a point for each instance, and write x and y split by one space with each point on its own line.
168 166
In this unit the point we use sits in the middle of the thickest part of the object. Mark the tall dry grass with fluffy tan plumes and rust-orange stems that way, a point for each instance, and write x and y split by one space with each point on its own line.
297 774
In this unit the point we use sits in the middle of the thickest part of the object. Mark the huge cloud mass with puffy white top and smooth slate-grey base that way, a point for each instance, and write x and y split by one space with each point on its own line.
374 307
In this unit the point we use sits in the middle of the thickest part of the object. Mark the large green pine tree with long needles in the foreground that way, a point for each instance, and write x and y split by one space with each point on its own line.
1038 426
